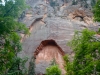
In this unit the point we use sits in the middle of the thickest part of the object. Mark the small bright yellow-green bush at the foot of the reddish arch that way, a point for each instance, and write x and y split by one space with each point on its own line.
53 70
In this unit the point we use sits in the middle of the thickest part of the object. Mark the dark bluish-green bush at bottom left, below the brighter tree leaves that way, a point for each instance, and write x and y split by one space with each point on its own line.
18 69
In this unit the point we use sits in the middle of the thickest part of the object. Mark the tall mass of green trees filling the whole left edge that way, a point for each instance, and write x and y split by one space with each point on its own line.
10 46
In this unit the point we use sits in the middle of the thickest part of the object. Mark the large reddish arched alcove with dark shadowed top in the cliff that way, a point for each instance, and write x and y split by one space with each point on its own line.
47 51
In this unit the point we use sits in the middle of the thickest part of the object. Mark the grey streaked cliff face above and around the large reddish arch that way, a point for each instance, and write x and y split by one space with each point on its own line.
57 22
